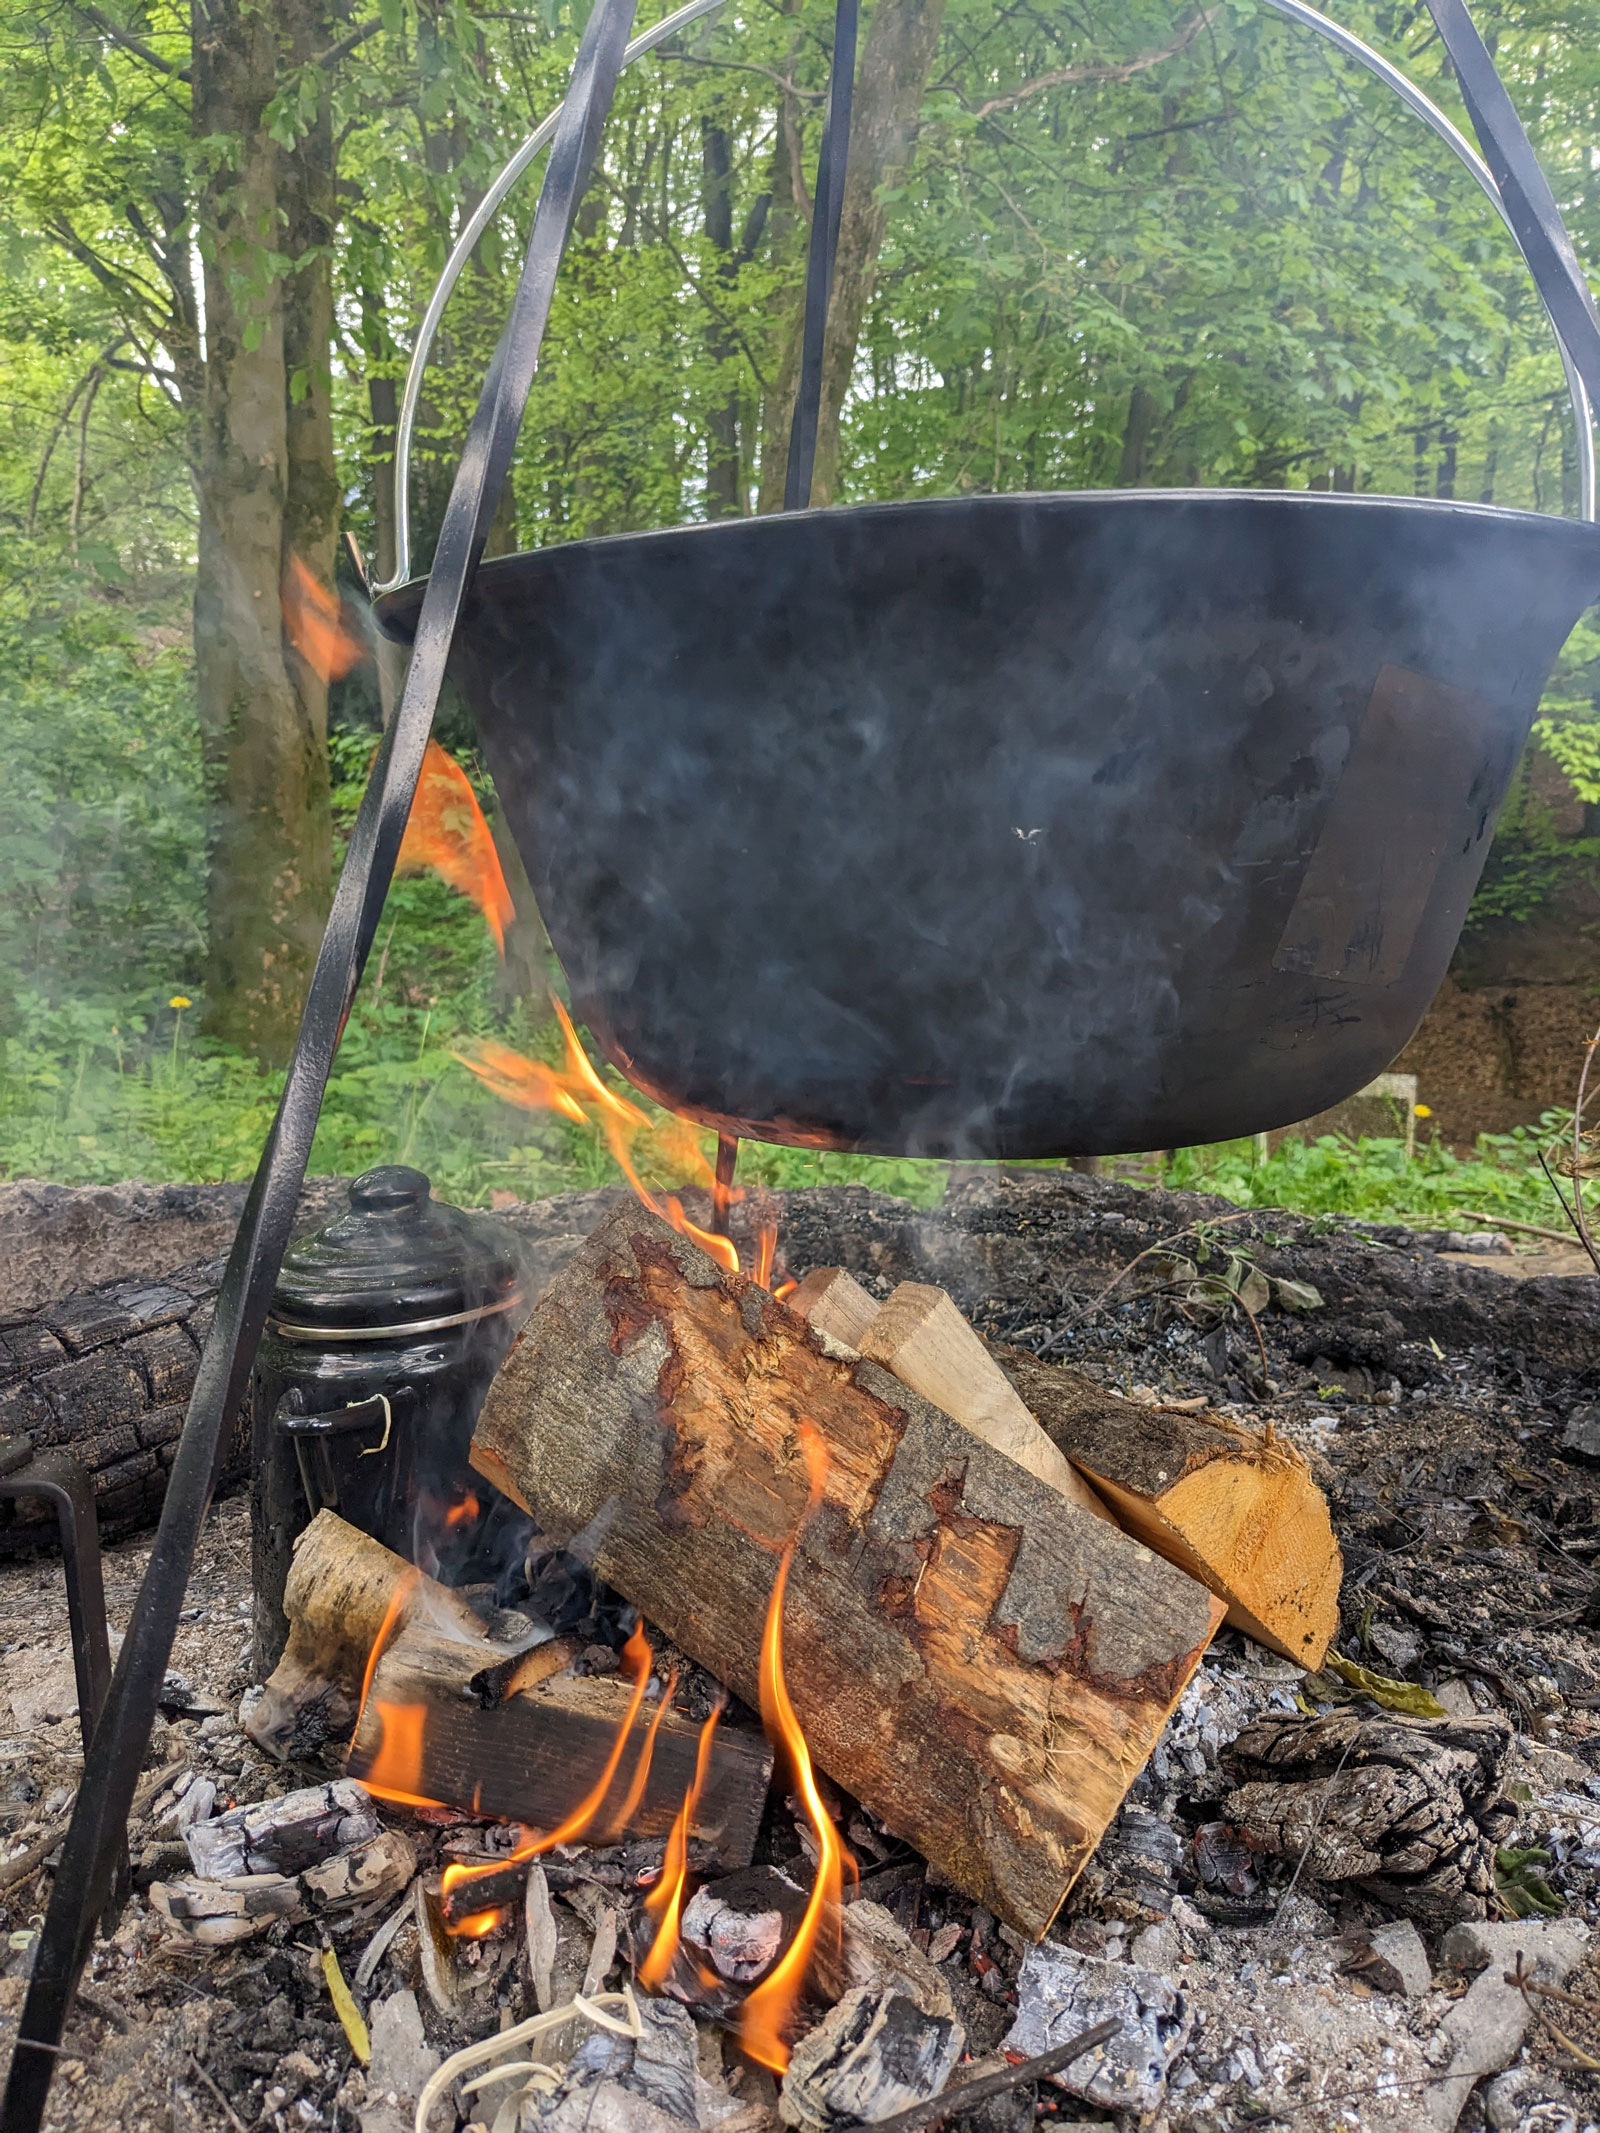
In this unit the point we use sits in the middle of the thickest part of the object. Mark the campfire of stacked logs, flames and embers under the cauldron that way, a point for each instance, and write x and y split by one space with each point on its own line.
825 1560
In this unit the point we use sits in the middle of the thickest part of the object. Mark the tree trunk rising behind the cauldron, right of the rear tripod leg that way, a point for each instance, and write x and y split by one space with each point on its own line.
889 99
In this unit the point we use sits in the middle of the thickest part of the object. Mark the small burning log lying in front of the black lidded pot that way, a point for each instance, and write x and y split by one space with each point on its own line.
458 1718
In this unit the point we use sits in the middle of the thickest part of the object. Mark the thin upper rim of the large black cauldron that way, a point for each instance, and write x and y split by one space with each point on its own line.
394 618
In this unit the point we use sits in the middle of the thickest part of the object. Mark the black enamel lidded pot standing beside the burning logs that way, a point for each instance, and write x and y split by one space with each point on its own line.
383 1338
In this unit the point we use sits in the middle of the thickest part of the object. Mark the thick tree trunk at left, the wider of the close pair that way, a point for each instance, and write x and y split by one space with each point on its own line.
266 756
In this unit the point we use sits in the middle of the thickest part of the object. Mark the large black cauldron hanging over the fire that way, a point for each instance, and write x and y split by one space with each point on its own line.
1017 827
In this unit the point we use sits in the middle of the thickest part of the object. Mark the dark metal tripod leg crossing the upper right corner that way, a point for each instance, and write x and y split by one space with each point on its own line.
1524 189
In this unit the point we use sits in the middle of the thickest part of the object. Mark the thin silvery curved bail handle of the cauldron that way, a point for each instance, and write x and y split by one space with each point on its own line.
1309 18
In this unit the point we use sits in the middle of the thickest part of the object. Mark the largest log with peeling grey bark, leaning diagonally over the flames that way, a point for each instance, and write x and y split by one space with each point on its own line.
978 1661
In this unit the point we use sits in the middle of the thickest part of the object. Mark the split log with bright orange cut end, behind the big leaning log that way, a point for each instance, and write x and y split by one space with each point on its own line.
1234 1507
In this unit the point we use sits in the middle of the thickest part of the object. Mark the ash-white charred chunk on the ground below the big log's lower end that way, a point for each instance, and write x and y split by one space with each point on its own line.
1063 1993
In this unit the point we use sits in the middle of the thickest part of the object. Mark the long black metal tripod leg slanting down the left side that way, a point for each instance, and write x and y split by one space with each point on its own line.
118 1748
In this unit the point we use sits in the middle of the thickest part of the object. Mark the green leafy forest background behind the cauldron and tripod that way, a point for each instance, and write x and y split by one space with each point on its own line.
1085 246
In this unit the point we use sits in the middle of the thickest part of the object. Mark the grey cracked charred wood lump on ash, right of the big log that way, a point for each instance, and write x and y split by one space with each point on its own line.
1409 1812
